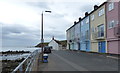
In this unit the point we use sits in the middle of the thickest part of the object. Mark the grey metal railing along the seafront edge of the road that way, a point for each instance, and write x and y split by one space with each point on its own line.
27 63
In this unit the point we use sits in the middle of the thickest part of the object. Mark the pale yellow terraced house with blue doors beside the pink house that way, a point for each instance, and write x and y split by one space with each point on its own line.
98 28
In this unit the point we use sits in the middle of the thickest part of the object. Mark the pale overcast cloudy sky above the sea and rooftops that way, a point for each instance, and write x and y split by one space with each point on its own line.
20 20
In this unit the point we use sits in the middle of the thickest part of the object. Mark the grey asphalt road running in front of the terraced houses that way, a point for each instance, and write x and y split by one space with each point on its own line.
64 60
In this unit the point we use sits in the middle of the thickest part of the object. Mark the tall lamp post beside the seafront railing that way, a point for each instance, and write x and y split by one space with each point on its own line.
42 39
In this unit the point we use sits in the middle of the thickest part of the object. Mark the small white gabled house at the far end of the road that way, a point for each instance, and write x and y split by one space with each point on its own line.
56 45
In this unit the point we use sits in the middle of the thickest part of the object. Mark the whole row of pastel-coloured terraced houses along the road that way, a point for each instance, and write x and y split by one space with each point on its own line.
98 31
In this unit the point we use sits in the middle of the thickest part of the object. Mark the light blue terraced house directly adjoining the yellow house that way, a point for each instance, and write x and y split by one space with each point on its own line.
85 33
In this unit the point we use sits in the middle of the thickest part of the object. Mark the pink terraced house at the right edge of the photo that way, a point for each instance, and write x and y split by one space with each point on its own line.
113 27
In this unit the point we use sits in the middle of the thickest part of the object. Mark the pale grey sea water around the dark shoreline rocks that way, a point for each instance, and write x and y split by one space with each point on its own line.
17 56
